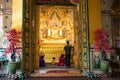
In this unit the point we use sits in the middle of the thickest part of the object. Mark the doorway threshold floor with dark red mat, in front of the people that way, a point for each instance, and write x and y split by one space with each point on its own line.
56 72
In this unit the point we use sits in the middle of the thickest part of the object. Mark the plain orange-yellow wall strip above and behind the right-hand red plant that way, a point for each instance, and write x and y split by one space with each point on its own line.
94 12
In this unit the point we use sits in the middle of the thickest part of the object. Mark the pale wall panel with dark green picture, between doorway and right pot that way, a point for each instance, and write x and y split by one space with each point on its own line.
95 60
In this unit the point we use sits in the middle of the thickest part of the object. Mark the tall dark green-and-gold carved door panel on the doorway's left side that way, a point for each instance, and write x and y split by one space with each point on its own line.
26 37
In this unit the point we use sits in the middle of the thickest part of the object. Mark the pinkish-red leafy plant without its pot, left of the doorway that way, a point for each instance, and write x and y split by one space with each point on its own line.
14 38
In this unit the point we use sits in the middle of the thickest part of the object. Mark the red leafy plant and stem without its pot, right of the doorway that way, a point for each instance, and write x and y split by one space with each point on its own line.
102 42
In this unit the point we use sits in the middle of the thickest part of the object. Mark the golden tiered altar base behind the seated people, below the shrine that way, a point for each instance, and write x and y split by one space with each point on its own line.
51 50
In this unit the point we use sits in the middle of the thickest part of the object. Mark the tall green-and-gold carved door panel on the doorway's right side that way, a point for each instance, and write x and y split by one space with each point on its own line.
83 36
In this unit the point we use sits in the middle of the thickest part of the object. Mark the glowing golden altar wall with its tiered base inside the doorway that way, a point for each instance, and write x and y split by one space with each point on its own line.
56 26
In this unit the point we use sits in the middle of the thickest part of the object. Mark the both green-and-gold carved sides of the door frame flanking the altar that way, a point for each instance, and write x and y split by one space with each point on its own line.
28 54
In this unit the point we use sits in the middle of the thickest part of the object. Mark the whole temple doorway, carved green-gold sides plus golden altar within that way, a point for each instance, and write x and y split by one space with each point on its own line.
53 25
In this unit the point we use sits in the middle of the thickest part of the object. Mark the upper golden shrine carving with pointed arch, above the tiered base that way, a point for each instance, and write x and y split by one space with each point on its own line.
56 24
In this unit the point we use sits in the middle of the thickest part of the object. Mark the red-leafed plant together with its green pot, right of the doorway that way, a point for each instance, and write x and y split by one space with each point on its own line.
103 45
